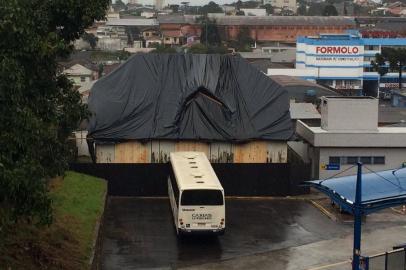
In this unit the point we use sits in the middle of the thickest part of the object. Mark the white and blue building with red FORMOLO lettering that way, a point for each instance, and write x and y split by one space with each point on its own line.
343 62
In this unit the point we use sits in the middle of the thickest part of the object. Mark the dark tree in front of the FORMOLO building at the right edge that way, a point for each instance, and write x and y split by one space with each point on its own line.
391 59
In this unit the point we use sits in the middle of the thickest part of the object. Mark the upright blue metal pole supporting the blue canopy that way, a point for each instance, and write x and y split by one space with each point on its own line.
357 220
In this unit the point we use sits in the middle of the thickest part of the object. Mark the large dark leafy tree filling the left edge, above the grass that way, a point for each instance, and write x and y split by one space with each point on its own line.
39 108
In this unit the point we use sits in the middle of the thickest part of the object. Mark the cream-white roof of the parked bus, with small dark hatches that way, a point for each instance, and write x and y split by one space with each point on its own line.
193 170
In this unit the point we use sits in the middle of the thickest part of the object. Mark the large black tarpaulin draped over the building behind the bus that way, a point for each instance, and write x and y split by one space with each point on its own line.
186 96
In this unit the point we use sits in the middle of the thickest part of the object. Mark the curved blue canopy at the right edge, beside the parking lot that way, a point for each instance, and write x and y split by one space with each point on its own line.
379 190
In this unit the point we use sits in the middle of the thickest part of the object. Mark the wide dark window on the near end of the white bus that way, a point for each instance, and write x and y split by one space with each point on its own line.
202 197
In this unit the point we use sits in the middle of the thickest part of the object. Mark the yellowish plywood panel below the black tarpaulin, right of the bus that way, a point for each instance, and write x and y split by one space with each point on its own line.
251 152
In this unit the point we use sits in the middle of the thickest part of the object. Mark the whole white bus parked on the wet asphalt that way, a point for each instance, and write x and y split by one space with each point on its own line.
196 195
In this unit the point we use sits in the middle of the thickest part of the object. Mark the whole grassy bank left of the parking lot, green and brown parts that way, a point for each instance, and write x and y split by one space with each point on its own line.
78 202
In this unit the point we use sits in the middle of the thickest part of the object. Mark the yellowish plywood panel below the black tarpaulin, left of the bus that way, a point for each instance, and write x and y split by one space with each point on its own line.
132 152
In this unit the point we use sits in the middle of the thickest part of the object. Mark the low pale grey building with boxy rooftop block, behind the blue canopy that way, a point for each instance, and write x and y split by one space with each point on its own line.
348 134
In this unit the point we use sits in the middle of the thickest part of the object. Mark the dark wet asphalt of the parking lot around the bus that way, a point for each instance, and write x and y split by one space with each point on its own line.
139 233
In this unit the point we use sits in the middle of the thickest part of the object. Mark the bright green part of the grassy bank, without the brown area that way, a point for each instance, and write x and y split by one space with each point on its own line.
80 196
